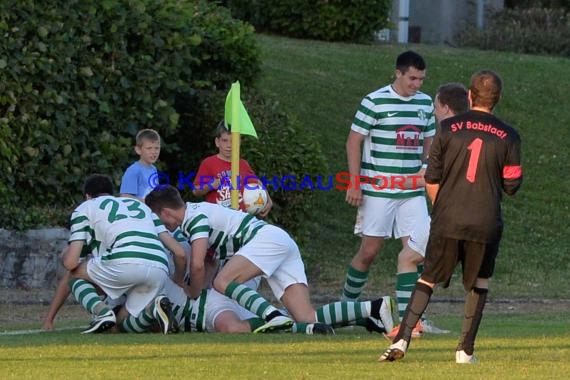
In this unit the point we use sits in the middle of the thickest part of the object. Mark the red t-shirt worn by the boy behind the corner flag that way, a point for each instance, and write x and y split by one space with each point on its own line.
213 168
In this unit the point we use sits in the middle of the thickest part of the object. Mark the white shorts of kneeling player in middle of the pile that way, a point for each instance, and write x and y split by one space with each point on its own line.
274 252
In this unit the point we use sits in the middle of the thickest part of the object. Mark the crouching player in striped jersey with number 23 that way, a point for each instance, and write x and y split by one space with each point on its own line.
131 260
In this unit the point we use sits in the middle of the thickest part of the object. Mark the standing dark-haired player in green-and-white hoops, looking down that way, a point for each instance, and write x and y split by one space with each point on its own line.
389 140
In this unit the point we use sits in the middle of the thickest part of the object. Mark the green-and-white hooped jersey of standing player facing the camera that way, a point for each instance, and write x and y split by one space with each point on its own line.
395 128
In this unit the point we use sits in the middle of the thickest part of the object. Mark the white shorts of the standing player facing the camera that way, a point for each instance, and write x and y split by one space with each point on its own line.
386 217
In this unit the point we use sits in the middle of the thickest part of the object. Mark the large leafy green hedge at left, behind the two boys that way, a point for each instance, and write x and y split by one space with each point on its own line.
79 78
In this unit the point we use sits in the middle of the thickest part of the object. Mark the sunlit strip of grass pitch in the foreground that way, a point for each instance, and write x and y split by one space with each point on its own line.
510 347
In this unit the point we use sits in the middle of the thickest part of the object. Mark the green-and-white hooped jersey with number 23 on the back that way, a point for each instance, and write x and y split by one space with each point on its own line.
123 227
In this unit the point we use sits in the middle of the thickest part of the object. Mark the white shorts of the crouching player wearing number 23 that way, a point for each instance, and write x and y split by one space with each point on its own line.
141 283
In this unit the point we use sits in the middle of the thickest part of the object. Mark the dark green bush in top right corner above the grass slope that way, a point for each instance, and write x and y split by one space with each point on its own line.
530 31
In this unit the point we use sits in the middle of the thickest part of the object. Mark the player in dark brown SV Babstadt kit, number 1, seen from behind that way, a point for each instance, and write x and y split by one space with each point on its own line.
475 156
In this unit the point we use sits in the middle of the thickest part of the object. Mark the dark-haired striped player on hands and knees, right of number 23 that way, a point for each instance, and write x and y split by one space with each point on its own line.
254 248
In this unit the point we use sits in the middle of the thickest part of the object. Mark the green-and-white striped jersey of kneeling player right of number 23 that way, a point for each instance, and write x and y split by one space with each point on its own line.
227 230
